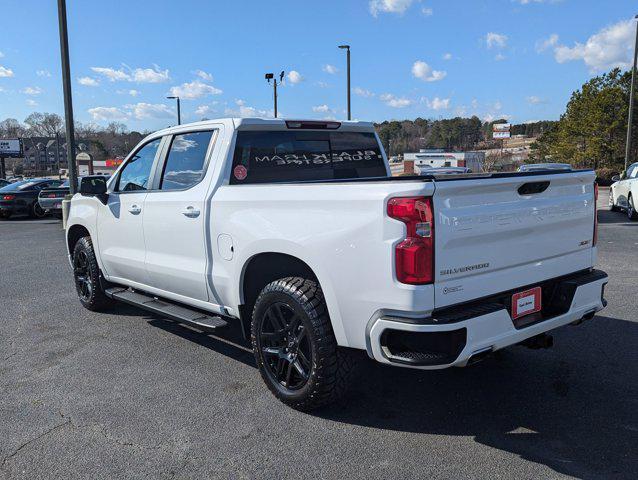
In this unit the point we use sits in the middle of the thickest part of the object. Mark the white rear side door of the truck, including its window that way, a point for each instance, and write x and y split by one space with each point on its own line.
175 216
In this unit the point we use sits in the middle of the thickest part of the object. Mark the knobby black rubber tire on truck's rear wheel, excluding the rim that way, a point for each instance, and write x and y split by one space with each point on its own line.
331 366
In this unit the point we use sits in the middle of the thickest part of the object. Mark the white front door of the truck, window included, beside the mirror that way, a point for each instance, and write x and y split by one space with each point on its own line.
119 222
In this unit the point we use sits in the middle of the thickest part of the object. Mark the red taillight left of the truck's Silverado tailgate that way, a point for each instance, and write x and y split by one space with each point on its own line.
414 256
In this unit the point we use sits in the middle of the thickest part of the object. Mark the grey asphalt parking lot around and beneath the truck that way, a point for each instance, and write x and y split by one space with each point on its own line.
130 395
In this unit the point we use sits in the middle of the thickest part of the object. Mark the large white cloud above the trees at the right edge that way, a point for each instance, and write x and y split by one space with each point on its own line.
609 48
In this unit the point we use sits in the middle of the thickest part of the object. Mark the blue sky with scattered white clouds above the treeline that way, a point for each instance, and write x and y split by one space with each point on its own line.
431 58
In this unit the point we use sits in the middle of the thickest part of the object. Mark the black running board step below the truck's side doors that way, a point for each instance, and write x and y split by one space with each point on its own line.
165 308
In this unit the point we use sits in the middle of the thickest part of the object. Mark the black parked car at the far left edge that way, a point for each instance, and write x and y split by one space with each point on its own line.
21 198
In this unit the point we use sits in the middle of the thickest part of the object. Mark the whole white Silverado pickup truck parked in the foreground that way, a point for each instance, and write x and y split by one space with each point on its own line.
295 230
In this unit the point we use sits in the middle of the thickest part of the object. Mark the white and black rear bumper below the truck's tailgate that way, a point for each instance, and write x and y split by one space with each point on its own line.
452 337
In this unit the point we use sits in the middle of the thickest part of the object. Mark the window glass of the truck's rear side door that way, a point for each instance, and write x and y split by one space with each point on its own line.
186 160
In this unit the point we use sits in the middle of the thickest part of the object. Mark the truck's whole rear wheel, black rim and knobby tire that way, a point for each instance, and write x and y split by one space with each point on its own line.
294 345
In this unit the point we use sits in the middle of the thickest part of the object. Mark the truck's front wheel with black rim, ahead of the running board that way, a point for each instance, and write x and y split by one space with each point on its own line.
86 274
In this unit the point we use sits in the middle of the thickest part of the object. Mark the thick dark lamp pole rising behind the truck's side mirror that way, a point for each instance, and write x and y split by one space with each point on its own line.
68 101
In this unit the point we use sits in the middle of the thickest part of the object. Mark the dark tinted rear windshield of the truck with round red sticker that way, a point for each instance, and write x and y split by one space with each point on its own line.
294 156
